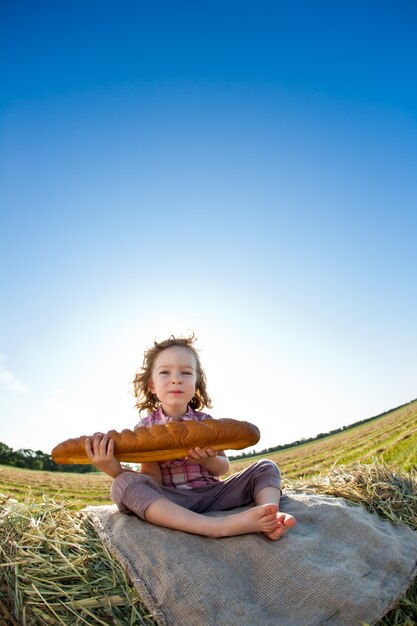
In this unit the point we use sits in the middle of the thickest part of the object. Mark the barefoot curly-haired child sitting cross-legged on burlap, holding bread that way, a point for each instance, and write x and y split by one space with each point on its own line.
174 494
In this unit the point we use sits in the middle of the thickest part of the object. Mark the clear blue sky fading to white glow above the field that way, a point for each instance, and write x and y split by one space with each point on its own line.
245 170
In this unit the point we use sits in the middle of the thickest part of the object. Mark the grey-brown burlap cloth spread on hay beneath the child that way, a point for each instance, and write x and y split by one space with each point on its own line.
340 566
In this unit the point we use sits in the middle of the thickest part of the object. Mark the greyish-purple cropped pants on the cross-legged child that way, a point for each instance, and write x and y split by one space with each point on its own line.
134 492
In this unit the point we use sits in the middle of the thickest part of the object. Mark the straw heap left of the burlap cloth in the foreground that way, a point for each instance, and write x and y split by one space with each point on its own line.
55 570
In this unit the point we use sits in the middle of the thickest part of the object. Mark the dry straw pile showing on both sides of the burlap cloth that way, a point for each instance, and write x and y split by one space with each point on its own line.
55 569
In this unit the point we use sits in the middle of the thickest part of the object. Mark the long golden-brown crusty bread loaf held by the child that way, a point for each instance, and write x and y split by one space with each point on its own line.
164 442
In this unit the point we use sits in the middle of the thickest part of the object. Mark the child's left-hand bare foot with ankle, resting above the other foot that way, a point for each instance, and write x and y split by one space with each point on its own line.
261 518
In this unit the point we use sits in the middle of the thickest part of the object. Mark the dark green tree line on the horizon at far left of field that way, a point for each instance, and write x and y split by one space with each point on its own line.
37 460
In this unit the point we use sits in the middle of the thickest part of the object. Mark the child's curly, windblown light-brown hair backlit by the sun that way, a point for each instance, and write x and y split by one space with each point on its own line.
148 400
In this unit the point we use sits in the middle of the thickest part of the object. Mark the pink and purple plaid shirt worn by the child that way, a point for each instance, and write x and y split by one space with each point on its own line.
180 473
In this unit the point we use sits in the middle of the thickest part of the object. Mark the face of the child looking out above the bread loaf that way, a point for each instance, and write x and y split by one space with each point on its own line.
173 381
